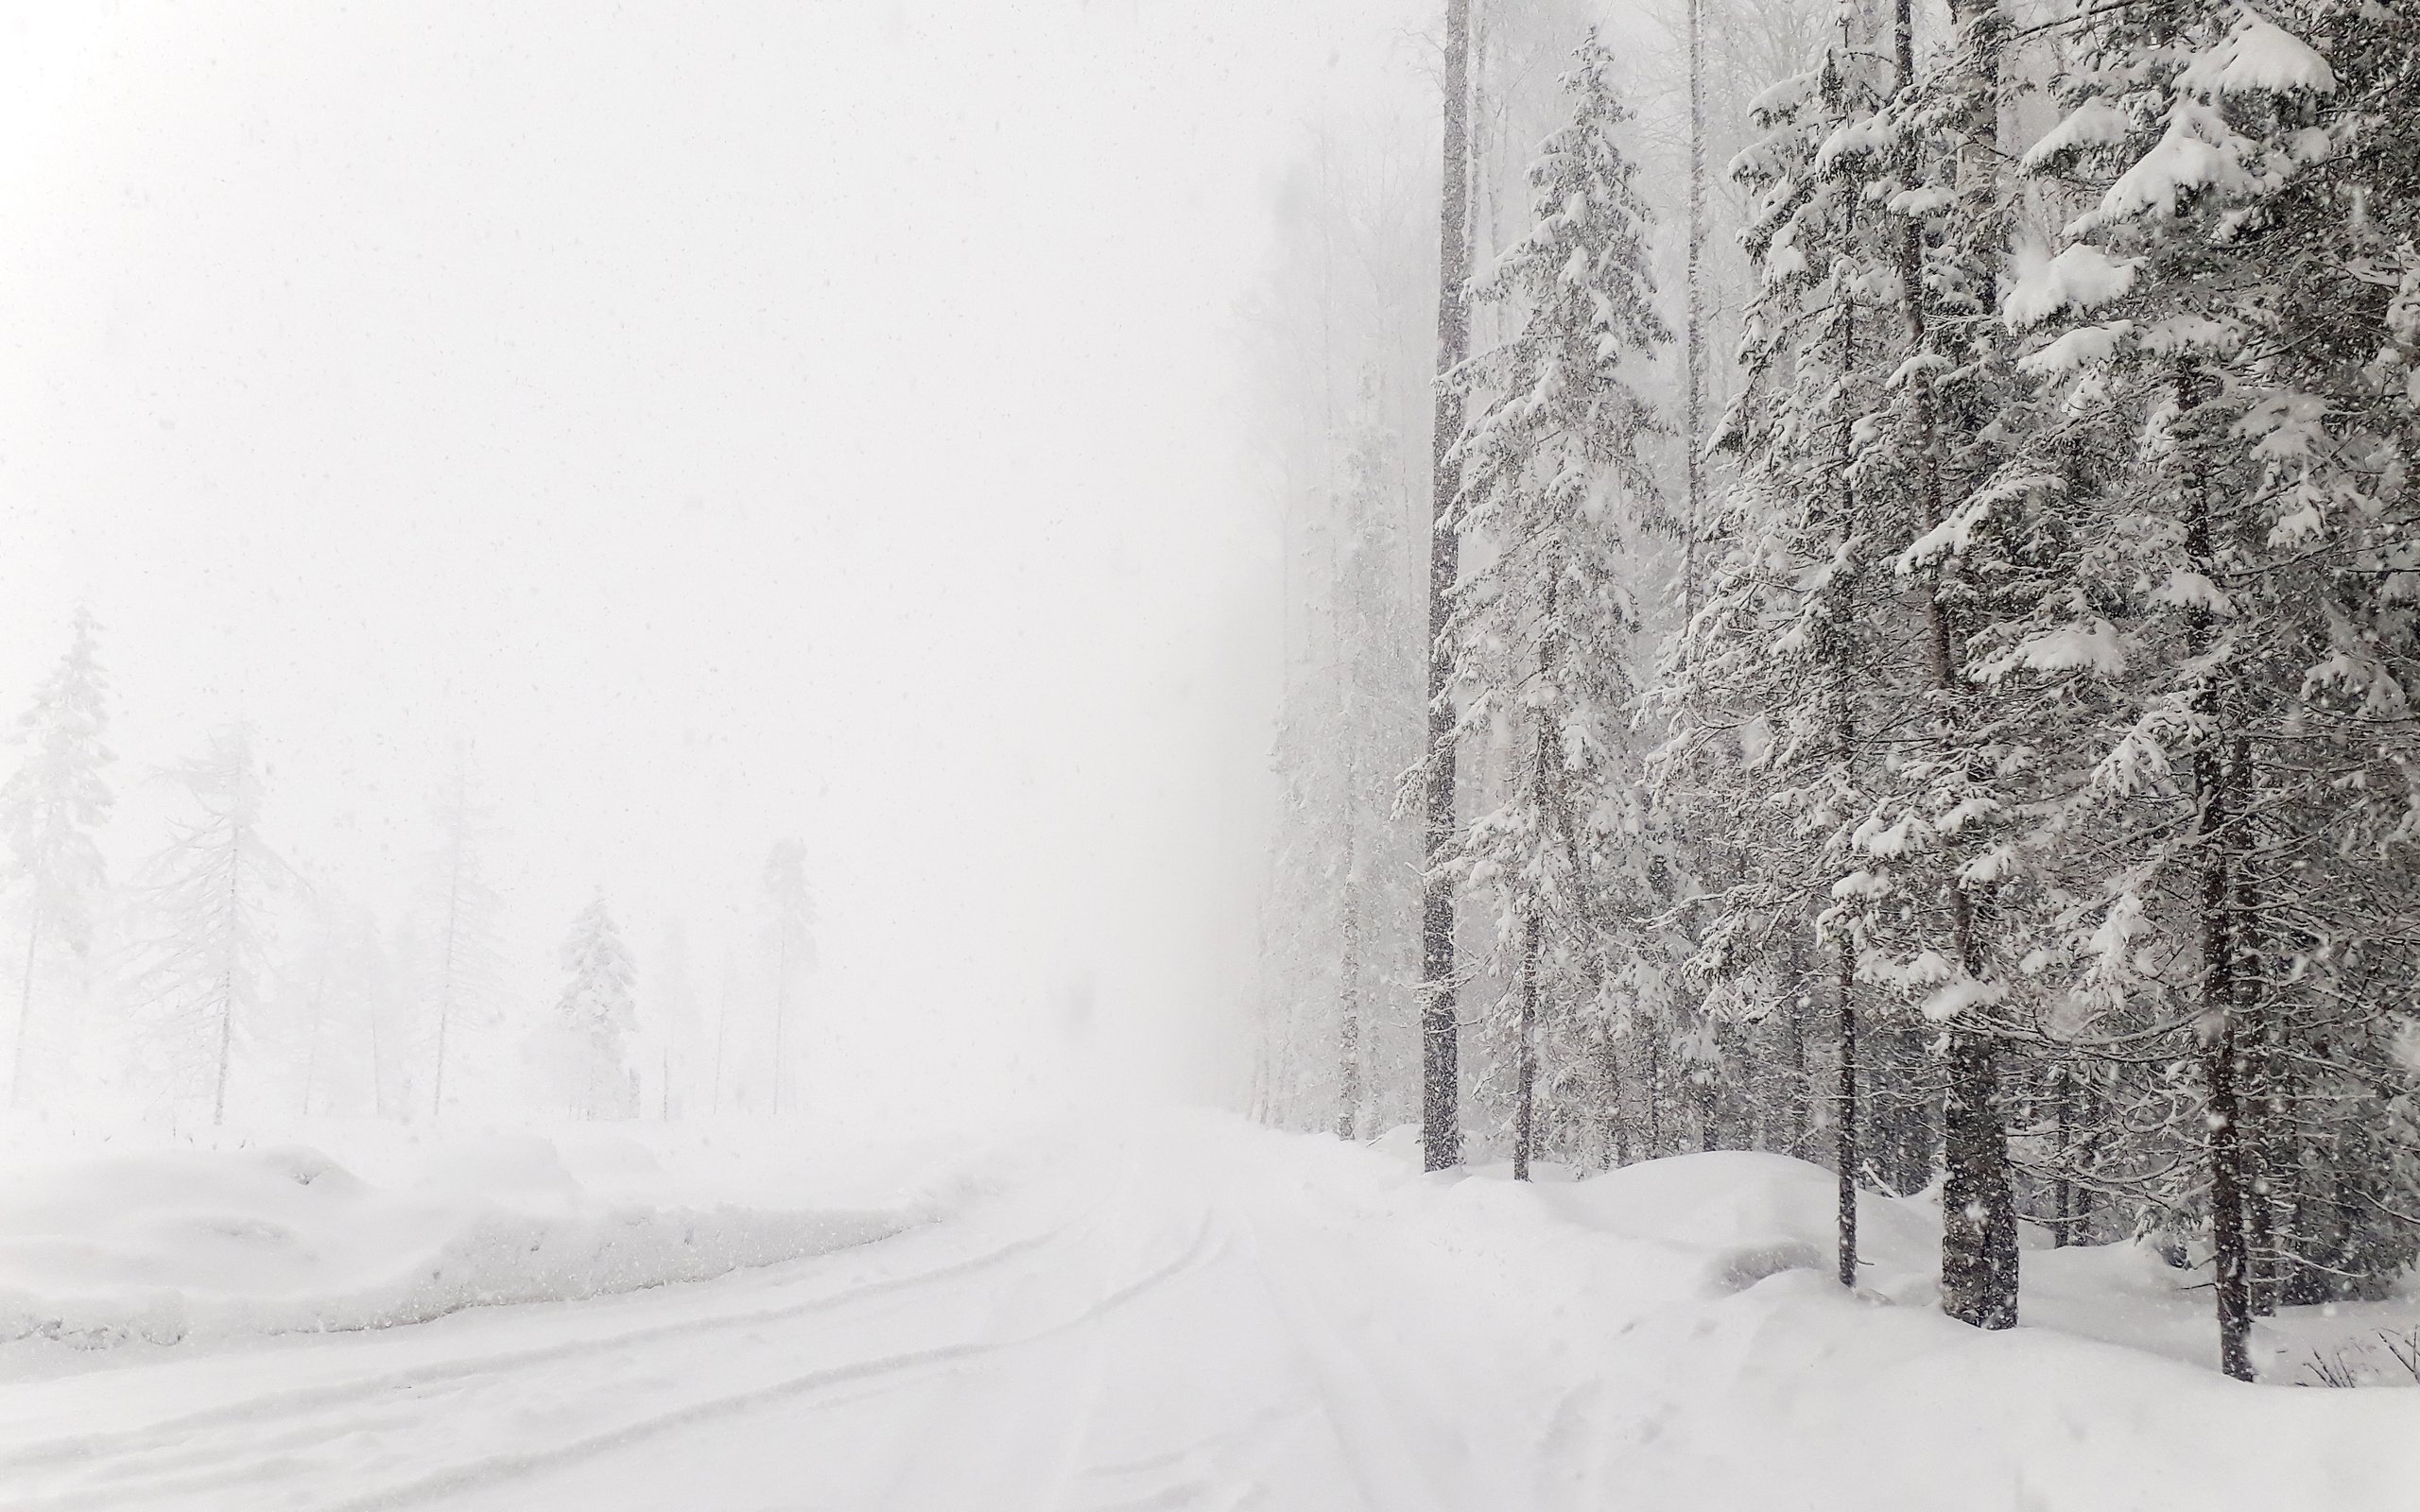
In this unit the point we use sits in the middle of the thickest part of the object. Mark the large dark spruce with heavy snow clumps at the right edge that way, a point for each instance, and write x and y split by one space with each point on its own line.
2232 294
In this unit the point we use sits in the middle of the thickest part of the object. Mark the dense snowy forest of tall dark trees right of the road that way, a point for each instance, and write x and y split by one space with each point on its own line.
1877 625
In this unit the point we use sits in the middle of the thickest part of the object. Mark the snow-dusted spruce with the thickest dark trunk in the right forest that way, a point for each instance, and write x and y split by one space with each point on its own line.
1935 887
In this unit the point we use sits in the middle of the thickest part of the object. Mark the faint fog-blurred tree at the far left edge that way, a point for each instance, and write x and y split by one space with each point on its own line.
52 809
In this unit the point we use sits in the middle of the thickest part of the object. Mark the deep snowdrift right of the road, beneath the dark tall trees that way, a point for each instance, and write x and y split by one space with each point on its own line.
1702 1356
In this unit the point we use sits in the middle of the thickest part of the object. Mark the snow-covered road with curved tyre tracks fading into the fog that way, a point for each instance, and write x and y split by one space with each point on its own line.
1129 1332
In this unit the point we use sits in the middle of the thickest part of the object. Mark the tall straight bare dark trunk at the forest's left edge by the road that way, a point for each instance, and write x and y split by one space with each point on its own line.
1441 1032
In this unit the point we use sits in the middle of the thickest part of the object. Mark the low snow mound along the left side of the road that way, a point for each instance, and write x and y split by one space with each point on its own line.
192 1245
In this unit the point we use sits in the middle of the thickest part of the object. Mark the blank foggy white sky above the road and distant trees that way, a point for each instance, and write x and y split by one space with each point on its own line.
739 420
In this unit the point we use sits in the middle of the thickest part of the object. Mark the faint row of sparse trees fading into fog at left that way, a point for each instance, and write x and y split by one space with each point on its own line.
221 971
